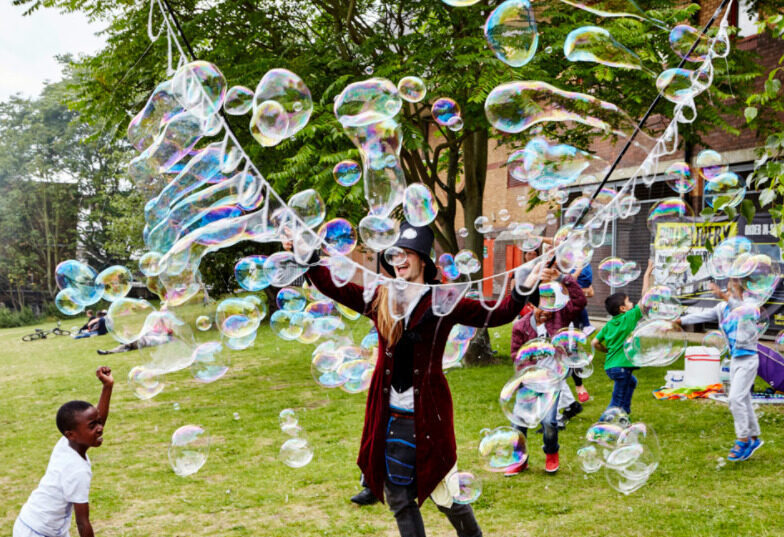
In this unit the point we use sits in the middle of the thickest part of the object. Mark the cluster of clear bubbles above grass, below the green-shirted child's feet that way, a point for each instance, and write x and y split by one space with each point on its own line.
629 452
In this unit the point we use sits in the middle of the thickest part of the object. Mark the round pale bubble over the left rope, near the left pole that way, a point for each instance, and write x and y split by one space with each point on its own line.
200 88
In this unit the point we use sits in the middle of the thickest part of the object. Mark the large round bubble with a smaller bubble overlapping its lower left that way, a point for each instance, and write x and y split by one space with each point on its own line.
289 91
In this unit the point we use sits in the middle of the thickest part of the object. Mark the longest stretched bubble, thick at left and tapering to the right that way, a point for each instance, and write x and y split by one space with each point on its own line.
515 106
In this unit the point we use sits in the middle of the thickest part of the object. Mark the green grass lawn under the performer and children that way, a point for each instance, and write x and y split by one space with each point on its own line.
244 490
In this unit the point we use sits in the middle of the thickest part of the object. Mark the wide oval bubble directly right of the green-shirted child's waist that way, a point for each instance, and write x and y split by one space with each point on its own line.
656 342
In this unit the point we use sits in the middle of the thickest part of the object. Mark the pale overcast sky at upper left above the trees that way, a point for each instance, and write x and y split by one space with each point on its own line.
29 44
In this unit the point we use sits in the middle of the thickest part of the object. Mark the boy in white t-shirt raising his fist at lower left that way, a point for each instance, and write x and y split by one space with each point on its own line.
65 486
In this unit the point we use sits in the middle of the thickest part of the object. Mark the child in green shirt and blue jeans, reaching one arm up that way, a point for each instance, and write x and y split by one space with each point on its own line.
611 338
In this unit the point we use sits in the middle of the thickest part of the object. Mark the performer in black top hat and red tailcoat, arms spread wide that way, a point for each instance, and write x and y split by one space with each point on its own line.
408 447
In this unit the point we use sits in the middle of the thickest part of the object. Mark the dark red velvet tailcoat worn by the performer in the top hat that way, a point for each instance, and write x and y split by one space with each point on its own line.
436 451
